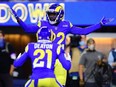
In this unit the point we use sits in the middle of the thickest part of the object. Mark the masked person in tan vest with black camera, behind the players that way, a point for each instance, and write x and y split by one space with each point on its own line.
77 47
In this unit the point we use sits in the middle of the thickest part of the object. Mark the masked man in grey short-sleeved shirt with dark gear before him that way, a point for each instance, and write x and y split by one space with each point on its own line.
96 71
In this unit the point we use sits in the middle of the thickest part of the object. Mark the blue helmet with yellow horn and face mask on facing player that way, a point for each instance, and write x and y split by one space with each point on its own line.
55 13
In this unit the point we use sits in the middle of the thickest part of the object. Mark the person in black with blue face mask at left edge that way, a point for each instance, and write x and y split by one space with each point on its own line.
7 56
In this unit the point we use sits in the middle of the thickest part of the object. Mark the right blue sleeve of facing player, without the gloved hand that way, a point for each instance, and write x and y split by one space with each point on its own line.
86 30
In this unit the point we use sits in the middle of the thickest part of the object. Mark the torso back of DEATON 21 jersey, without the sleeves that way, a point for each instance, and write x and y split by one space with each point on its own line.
43 57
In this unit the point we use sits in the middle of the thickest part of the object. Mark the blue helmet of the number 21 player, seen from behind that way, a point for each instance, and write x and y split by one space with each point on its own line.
43 33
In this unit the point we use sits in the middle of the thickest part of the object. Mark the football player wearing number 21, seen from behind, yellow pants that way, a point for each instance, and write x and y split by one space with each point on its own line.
43 55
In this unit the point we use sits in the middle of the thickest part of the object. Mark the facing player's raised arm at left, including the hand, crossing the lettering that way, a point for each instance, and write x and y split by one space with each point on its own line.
24 26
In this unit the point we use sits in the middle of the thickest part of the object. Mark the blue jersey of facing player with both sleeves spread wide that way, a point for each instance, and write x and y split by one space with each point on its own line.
61 30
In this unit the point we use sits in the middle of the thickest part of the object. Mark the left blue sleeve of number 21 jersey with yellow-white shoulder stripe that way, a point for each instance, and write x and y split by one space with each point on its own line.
22 58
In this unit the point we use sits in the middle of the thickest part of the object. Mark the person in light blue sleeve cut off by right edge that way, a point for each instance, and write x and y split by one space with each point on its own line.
112 62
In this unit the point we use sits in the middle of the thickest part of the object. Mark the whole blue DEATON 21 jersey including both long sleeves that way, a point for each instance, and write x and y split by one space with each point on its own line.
43 55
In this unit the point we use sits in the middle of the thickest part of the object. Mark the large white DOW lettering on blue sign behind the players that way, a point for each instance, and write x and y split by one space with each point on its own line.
29 12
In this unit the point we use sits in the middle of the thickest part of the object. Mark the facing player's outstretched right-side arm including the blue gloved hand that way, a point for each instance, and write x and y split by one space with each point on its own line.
87 30
